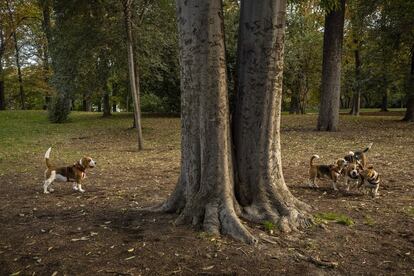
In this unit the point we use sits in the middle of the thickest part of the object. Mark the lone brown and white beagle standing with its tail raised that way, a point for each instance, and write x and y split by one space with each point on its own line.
74 173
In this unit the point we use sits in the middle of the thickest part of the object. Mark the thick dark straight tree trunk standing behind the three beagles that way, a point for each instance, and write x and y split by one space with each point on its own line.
331 69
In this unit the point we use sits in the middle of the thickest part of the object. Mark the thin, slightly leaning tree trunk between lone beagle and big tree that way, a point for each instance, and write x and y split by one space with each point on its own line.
133 72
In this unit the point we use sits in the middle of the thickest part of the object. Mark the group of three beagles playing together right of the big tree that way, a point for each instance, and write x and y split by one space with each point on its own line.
353 167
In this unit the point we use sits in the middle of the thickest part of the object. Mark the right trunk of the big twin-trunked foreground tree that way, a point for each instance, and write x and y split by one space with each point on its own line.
260 186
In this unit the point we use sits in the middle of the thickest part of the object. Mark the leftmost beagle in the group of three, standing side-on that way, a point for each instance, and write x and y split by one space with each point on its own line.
332 172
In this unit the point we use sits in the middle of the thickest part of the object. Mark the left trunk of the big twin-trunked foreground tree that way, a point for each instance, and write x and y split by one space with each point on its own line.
204 195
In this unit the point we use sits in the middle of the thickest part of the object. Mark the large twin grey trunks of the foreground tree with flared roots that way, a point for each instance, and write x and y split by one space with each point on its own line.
206 193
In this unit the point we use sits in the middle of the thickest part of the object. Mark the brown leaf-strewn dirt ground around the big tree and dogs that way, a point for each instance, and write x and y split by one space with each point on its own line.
103 231
